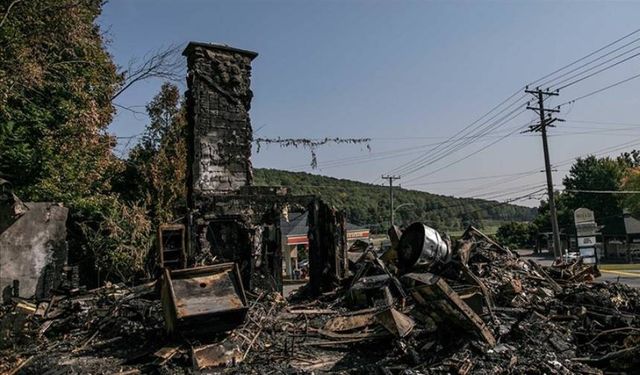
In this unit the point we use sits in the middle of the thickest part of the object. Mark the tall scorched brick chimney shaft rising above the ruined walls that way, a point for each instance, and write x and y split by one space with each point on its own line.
219 131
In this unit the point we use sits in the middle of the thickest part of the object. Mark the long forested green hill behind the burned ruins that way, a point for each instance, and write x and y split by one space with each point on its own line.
368 205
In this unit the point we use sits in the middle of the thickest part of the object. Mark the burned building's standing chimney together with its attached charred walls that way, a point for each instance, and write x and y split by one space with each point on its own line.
231 219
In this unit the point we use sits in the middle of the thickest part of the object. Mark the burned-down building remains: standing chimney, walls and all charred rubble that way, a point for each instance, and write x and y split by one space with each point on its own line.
426 306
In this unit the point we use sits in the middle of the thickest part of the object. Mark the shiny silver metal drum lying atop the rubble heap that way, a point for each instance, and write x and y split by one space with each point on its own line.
421 245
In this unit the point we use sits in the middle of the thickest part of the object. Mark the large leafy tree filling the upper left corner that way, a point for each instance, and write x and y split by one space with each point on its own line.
56 85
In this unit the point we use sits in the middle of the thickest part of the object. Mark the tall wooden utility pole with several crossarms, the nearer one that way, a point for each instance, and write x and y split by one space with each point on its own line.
546 121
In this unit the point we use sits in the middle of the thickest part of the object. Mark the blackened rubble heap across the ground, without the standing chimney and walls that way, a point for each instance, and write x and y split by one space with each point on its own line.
481 309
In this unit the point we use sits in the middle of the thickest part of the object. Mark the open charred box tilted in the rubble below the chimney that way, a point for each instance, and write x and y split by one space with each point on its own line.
204 299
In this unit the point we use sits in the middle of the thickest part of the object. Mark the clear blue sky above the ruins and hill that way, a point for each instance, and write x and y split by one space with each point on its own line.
404 73
